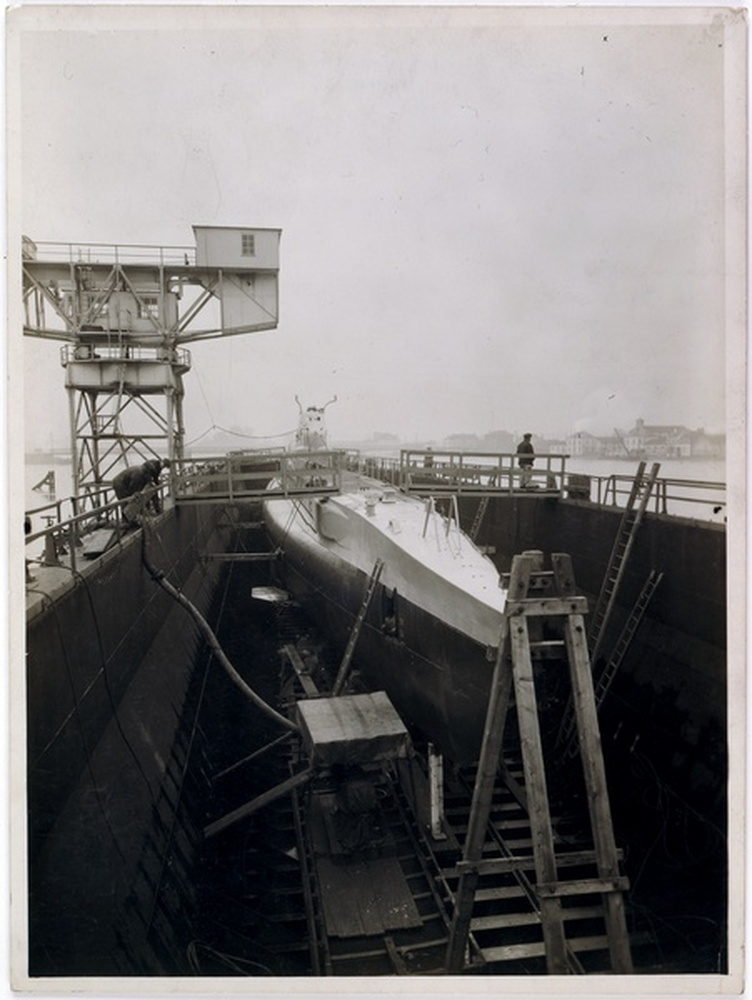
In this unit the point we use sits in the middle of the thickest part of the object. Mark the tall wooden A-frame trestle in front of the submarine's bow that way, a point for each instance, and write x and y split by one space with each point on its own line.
514 669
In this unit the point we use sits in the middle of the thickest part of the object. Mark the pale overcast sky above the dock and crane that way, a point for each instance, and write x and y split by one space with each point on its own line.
487 221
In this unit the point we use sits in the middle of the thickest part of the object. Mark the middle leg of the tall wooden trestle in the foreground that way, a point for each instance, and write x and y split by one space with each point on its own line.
537 795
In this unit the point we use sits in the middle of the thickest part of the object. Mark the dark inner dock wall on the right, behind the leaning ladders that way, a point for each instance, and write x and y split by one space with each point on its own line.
668 698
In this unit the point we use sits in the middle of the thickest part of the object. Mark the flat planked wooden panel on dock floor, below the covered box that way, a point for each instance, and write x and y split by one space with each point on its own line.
364 897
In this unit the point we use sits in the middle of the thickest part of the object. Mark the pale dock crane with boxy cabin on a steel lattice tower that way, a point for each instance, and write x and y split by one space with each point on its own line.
125 315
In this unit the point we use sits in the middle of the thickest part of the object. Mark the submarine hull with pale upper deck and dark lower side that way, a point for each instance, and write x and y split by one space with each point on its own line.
429 643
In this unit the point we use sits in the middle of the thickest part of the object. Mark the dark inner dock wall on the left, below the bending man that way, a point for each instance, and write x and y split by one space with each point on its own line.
112 687
